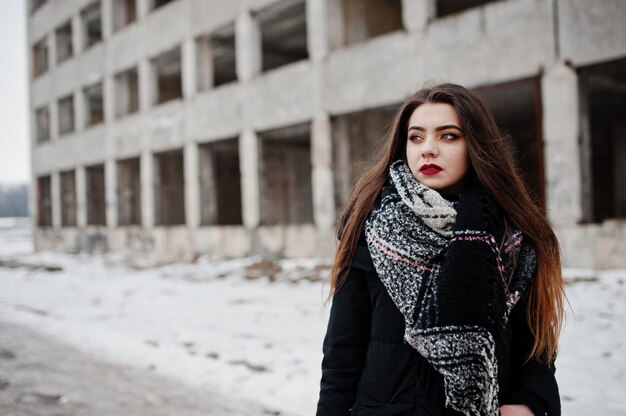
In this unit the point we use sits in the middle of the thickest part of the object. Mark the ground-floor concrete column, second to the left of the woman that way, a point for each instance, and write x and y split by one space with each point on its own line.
249 155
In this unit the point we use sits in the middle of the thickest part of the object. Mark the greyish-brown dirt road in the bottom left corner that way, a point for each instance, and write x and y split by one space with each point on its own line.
40 377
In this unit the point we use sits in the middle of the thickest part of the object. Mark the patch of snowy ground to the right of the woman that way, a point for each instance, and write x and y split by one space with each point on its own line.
591 368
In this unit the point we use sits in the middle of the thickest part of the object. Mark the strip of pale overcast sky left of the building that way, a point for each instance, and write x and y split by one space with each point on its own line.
14 143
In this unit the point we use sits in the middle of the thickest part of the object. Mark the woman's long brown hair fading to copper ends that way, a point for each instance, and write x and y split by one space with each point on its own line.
492 162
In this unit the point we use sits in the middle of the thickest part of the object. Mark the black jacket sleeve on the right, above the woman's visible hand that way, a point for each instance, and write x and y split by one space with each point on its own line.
534 383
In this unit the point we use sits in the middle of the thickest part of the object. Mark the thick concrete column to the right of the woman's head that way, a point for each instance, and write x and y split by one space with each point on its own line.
559 96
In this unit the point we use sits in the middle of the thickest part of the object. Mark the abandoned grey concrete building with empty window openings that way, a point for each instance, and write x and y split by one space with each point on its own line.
229 128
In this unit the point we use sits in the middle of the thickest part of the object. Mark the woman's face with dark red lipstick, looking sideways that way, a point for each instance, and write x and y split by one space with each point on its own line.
436 148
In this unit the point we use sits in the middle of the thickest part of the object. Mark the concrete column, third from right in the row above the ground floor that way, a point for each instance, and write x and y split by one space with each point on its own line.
247 46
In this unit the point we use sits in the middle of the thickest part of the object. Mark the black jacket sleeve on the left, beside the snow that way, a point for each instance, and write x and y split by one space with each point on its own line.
345 345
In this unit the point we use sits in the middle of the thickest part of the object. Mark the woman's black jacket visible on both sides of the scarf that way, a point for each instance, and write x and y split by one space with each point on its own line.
368 369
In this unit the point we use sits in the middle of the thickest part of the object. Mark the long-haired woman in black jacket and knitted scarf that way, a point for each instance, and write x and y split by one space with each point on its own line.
447 288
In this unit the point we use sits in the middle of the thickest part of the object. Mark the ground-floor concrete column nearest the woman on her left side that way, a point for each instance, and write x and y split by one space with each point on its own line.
323 184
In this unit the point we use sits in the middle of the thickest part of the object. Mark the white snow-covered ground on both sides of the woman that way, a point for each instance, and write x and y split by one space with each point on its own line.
217 325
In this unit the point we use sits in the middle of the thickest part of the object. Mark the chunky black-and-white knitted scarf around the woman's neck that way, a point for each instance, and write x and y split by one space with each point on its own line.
441 263
